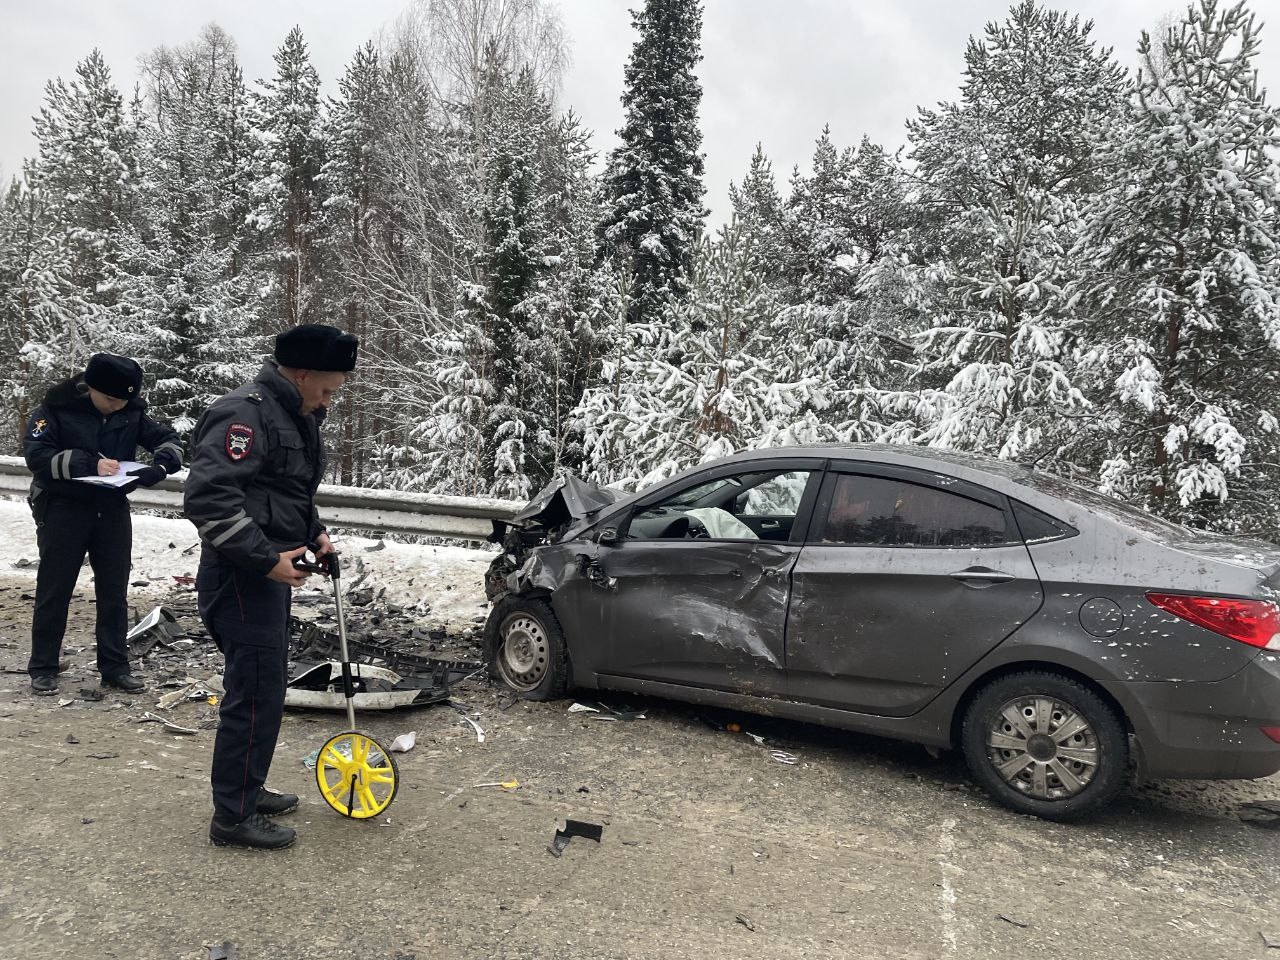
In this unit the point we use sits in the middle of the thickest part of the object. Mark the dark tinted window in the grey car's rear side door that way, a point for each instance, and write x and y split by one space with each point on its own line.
885 513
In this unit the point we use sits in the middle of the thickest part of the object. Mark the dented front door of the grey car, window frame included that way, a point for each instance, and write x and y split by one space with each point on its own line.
697 597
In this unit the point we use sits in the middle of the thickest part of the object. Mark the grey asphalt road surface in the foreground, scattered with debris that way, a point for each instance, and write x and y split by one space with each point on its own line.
711 845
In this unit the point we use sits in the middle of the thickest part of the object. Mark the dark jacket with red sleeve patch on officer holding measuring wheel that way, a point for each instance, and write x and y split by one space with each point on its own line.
255 468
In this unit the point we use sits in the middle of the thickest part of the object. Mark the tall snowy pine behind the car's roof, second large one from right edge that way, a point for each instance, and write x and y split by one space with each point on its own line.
1003 175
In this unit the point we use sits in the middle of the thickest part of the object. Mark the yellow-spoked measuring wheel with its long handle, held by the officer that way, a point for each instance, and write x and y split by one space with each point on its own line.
356 775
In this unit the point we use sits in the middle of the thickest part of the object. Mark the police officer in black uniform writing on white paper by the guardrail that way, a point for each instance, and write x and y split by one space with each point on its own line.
86 427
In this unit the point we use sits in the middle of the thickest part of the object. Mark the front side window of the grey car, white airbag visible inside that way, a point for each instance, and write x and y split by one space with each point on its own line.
758 506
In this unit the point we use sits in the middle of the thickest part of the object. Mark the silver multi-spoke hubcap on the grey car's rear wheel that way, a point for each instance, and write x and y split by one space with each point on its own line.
1044 748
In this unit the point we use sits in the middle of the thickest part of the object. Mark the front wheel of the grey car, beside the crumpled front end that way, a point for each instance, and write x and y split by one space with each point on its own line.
525 648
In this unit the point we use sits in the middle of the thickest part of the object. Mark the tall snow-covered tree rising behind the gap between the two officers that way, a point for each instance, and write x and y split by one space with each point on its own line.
195 324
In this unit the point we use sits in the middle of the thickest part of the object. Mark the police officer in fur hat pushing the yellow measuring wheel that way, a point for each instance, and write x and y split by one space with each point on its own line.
257 463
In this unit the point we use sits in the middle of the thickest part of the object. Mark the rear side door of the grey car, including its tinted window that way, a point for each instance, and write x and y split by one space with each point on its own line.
907 582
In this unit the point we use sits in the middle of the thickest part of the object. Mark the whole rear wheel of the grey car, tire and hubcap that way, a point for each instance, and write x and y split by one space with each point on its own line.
1060 779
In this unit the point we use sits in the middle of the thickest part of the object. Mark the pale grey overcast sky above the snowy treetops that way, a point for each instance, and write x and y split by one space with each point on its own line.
775 71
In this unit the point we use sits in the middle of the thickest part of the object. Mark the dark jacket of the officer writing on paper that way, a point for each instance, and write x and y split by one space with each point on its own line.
67 437
